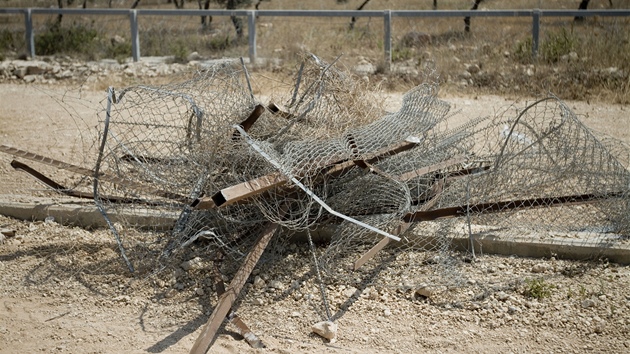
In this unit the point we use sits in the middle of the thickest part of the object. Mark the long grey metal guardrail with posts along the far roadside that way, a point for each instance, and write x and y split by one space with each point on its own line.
252 15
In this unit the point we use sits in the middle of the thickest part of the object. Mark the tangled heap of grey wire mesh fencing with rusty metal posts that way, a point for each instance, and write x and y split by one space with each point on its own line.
212 165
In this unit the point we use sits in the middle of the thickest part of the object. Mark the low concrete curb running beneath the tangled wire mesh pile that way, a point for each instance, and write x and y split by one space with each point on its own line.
88 216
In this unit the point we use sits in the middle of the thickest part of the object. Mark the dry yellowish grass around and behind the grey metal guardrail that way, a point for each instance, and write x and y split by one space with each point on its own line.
589 60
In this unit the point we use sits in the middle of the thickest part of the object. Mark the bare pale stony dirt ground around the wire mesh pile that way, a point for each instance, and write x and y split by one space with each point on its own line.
64 289
